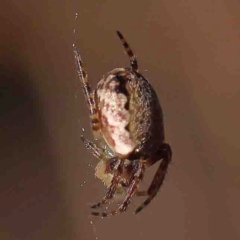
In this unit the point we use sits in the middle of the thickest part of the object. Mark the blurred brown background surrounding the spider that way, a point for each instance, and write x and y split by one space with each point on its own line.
191 50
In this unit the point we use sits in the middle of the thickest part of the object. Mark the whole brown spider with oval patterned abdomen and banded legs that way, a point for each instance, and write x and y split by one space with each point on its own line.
127 124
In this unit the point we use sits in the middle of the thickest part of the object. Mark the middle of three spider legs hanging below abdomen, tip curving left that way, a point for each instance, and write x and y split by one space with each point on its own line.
137 177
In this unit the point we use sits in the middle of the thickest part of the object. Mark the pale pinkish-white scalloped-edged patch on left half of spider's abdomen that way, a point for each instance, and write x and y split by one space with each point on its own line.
113 110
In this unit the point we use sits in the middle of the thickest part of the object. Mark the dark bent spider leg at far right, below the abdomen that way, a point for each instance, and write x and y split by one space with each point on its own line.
166 155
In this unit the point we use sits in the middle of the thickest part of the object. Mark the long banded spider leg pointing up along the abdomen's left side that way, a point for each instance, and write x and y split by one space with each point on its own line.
89 94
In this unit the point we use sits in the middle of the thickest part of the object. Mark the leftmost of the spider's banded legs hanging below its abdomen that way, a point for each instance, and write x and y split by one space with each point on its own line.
118 168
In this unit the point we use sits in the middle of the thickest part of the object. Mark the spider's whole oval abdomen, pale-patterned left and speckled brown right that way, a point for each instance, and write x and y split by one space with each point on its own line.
129 112
